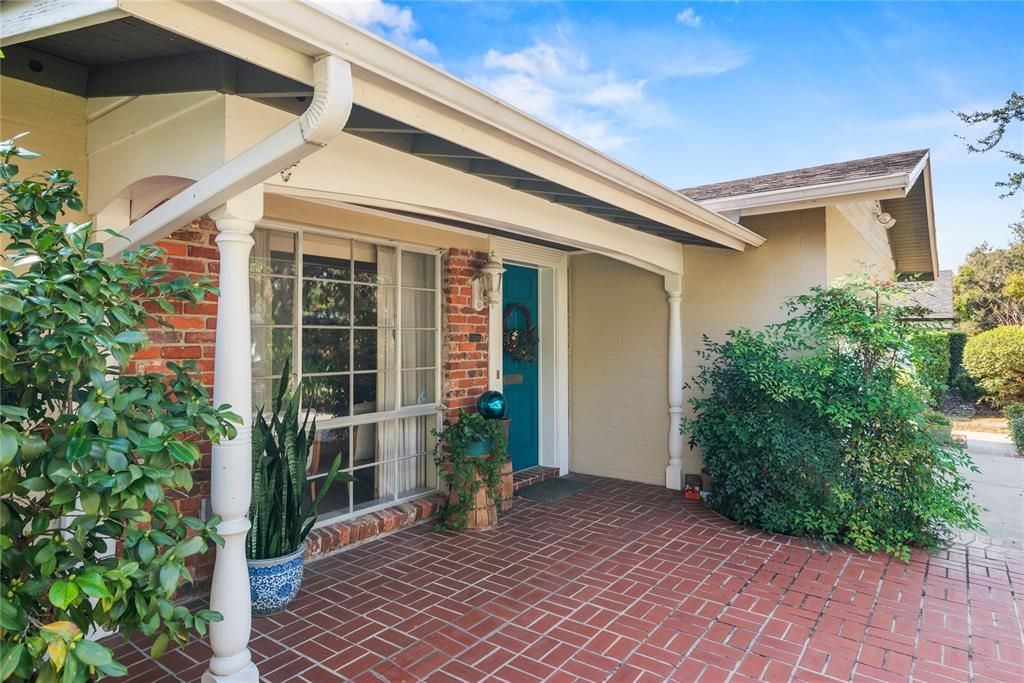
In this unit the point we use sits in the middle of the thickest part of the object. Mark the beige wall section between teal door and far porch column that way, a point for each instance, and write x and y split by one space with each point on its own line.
618 370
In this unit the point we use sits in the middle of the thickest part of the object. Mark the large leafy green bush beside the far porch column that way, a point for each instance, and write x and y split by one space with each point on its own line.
815 428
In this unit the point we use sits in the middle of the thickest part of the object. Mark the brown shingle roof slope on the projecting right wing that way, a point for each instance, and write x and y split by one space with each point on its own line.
902 162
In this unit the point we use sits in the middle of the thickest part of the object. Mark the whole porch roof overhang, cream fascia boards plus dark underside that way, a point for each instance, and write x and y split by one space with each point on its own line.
266 52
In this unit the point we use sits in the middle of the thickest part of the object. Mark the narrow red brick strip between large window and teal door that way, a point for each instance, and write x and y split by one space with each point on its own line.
464 333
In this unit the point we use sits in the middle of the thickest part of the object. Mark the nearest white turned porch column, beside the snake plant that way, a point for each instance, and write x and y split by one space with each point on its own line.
231 476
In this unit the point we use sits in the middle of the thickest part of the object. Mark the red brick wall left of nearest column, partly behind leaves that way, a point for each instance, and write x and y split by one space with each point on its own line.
193 252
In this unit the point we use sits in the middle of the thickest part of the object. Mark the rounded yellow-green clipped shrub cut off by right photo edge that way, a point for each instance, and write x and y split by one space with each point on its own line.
996 360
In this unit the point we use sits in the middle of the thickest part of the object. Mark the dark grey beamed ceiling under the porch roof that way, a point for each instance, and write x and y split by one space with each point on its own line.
132 58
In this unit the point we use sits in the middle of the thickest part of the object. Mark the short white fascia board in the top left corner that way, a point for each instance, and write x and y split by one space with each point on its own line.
22 21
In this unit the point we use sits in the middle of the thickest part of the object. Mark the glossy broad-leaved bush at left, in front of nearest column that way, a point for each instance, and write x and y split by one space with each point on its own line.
88 535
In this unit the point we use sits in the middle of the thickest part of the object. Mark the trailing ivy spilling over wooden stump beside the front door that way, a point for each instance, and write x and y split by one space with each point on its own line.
465 474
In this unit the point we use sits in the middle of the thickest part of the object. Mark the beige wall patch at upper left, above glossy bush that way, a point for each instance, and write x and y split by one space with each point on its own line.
57 123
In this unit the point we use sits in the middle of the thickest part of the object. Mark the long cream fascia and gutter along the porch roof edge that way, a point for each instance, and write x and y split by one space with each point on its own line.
396 83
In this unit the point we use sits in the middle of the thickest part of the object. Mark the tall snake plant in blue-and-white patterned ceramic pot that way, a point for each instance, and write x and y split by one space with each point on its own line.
281 514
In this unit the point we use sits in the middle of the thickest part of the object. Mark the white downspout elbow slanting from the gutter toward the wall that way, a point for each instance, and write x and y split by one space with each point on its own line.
323 120
